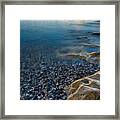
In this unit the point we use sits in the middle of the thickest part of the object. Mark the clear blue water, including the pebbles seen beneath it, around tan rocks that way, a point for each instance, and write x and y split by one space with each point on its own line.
45 68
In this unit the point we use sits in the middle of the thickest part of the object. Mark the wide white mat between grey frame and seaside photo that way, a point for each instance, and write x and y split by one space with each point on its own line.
15 13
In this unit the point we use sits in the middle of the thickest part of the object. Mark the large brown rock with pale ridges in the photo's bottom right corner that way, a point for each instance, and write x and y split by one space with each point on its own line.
86 88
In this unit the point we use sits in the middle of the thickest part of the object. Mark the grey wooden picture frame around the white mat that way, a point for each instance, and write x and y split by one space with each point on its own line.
2 61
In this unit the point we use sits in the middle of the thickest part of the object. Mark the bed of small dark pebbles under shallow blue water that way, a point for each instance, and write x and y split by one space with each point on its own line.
44 76
